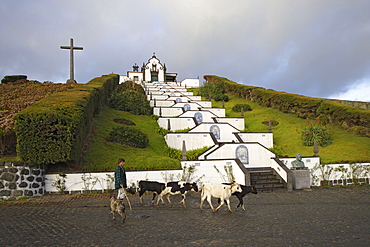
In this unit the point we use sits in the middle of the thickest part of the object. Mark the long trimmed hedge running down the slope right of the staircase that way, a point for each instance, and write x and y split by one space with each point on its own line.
350 118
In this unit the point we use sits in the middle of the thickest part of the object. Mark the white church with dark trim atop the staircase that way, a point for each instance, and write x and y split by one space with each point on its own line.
153 71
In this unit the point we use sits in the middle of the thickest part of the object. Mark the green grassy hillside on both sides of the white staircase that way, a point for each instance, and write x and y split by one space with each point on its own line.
101 155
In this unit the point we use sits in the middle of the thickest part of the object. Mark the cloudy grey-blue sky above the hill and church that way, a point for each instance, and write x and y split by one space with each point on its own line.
318 48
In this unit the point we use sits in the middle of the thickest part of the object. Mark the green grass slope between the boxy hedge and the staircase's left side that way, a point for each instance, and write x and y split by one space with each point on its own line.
101 155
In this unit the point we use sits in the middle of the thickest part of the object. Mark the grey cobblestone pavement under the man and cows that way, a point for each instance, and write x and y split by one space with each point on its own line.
320 217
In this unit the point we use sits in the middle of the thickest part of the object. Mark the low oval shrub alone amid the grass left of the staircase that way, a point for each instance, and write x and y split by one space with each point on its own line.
130 136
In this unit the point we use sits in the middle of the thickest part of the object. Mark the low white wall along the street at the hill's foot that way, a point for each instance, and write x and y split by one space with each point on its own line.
203 169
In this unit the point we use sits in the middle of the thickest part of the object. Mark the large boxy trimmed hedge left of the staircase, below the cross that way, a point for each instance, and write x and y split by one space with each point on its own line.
55 128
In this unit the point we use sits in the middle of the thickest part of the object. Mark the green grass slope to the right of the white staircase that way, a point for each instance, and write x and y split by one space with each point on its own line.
347 146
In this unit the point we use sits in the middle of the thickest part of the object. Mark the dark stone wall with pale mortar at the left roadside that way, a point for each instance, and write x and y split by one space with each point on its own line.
18 179
